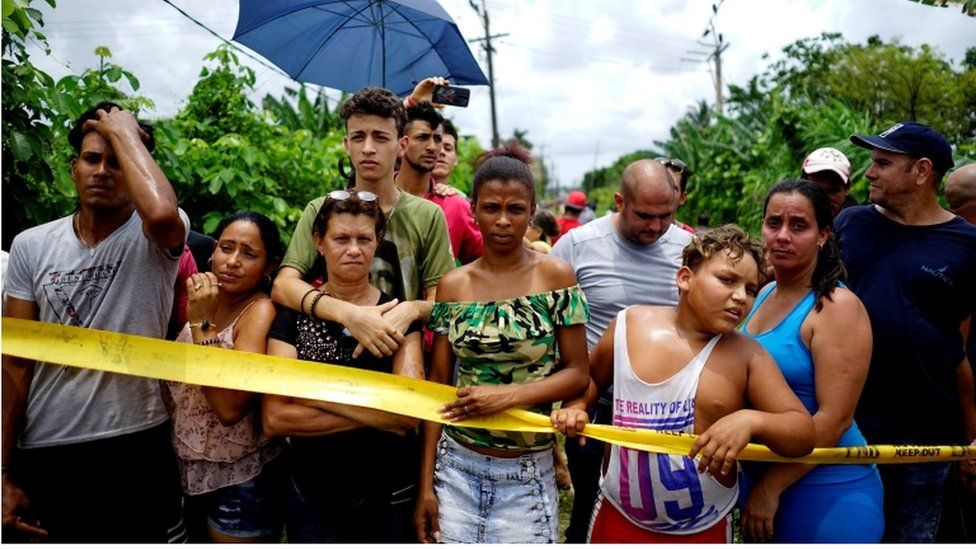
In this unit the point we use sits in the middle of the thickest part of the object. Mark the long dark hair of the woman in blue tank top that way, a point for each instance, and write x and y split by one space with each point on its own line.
830 270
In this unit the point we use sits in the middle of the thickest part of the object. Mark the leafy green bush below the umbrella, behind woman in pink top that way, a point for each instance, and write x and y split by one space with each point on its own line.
223 155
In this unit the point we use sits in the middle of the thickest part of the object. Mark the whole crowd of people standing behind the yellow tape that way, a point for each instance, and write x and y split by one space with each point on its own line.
843 325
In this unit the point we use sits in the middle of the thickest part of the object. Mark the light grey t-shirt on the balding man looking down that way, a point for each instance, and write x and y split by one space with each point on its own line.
615 273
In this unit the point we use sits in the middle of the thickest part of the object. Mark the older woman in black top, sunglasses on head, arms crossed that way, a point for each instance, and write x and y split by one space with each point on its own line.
353 469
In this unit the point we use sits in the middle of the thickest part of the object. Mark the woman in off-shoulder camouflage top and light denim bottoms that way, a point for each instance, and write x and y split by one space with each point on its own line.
502 317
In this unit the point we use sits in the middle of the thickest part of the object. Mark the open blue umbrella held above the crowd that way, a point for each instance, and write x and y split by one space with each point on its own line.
348 44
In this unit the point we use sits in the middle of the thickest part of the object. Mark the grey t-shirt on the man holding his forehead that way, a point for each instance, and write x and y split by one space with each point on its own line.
124 284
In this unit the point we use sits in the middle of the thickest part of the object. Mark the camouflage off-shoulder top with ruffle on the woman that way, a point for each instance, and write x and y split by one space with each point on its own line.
504 343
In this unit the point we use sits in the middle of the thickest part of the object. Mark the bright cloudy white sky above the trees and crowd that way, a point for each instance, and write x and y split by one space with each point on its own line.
589 80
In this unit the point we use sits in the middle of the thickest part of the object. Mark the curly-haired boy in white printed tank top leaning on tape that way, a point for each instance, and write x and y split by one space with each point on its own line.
687 369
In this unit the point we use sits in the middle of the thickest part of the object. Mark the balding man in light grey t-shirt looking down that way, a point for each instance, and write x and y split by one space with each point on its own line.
627 258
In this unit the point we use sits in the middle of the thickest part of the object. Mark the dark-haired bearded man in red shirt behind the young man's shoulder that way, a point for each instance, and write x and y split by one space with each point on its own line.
420 149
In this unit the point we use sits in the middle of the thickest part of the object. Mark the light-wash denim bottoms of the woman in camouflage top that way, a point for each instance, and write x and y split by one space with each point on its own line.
486 499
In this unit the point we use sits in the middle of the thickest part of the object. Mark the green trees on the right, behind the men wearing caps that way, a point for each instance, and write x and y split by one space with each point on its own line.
821 92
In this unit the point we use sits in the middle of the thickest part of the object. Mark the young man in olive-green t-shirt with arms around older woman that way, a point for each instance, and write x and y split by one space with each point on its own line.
414 253
